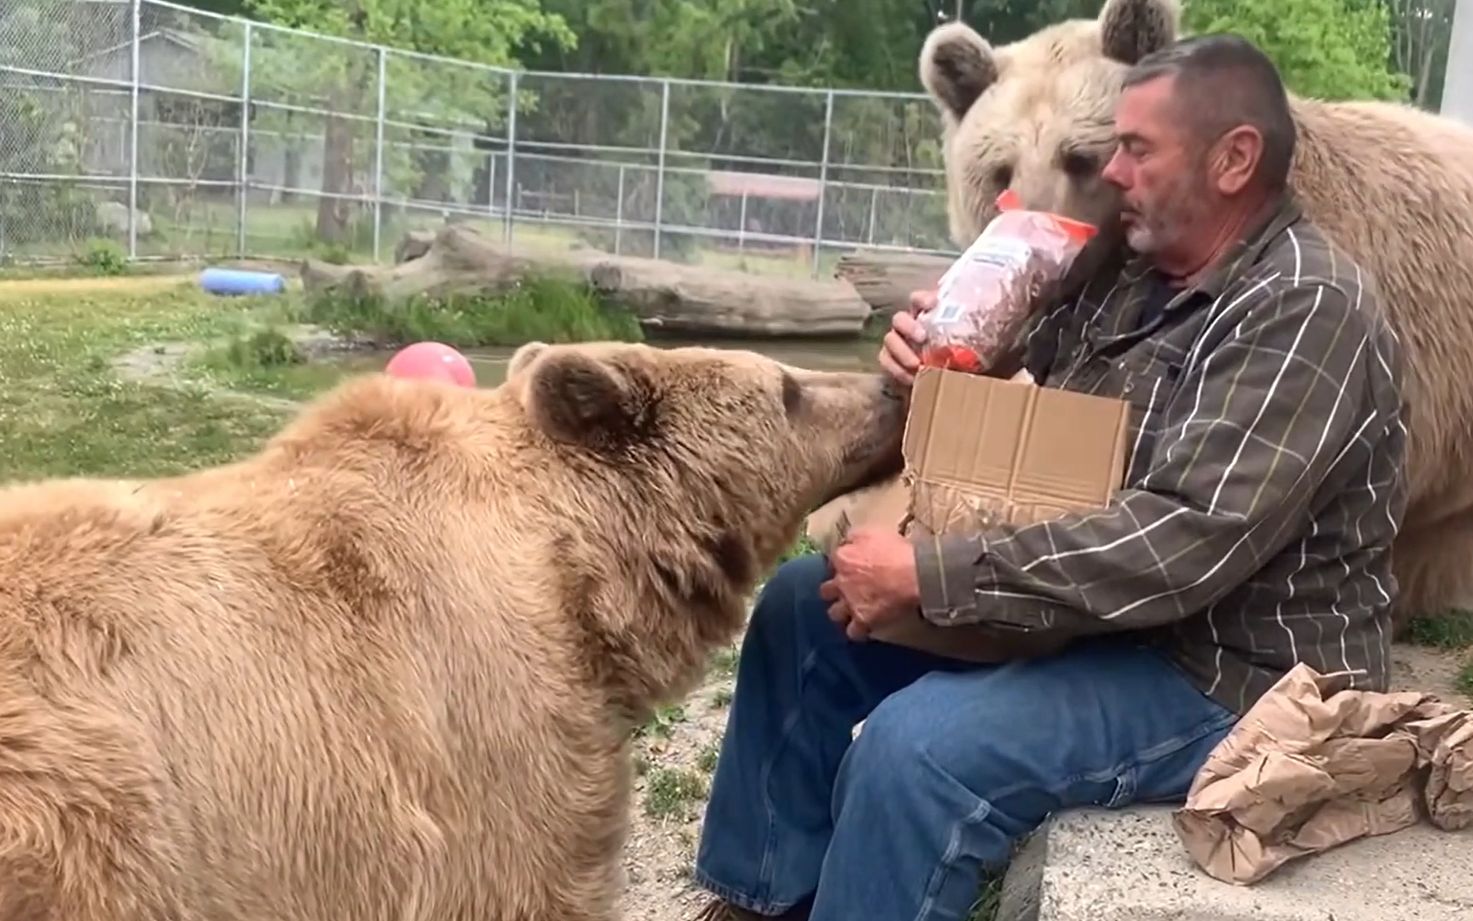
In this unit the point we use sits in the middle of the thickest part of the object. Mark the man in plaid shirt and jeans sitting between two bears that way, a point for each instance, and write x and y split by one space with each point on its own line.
1262 500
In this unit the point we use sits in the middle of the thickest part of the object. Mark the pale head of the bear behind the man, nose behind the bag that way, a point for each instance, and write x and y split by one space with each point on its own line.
1038 116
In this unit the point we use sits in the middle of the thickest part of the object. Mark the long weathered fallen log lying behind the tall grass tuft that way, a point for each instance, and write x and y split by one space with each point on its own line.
665 297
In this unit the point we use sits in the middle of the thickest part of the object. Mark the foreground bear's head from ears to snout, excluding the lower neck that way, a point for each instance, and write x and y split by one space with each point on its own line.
720 447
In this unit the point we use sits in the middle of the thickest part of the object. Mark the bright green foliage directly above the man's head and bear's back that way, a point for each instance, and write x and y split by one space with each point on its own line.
1325 49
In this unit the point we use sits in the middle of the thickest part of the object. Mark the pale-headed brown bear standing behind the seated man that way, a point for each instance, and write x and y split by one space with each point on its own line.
1390 183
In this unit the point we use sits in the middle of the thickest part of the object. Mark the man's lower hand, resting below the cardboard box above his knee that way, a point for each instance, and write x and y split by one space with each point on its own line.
874 581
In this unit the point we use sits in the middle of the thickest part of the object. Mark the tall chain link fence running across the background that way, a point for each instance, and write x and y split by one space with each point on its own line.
167 132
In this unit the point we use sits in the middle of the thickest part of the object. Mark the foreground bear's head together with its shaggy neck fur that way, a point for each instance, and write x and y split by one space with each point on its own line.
683 475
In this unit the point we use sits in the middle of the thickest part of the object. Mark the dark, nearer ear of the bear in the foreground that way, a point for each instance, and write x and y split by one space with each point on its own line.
574 397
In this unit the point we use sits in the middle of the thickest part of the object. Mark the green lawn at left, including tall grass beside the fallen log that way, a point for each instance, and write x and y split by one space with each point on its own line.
67 410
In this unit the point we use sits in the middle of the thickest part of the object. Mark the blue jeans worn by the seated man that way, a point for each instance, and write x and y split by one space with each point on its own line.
954 766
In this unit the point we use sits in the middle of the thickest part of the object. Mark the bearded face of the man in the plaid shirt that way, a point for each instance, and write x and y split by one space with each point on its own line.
1160 170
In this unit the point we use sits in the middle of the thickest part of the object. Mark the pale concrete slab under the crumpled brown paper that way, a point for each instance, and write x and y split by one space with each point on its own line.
1129 866
